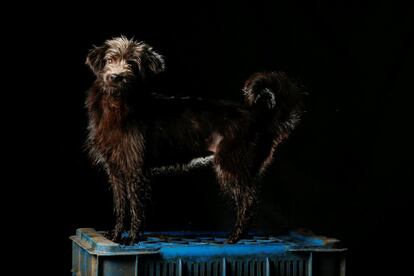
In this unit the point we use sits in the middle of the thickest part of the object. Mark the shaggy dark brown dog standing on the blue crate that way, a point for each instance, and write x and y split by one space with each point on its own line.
134 134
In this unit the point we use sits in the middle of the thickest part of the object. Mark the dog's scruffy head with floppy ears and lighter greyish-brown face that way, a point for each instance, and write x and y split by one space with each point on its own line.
121 61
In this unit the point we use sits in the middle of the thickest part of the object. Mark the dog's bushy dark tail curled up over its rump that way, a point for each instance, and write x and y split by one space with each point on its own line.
276 102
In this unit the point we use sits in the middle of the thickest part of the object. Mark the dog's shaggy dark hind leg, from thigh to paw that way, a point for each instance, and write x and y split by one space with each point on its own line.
234 171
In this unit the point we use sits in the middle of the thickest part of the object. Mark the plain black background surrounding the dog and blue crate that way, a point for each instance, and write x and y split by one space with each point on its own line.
343 173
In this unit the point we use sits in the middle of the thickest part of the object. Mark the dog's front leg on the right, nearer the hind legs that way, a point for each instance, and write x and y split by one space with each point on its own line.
138 190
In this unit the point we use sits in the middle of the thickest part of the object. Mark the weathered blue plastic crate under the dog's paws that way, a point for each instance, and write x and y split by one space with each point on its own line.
197 253
